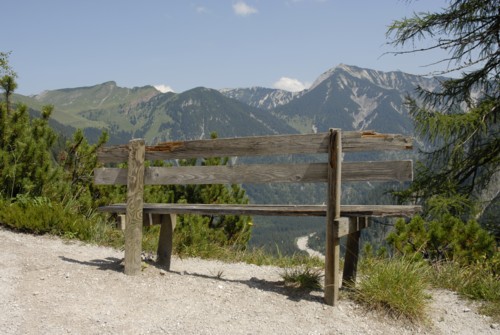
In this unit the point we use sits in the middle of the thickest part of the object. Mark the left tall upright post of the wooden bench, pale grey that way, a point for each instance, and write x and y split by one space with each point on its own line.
135 204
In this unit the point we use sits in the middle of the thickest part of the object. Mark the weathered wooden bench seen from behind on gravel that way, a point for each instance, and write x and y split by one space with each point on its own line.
341 219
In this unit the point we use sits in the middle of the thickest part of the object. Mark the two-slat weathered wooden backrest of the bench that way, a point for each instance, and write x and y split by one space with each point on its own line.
352 141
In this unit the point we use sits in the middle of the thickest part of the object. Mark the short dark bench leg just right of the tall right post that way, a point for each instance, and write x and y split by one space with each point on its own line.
352 249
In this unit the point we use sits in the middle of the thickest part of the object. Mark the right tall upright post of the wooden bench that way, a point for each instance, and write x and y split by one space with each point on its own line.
332 257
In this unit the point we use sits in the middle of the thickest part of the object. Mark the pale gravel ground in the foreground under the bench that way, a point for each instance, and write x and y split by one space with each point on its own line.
51 286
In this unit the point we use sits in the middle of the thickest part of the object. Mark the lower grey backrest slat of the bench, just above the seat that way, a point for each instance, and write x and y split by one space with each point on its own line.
259 173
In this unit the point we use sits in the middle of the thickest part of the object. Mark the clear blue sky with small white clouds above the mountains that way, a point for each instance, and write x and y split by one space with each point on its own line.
180 45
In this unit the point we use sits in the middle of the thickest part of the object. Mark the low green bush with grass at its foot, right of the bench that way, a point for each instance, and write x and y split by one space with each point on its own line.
463 257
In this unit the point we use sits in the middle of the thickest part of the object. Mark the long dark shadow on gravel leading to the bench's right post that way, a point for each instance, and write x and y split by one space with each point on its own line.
293 294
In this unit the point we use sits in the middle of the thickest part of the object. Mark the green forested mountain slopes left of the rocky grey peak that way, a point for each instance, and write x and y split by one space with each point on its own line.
146 113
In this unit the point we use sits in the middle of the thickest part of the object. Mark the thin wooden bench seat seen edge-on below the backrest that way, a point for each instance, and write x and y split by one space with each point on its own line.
270 210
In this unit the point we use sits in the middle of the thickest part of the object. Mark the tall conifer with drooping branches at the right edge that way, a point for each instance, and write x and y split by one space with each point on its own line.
459 121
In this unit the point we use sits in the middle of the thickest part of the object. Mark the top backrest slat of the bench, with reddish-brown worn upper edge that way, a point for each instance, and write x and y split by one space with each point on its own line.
260 145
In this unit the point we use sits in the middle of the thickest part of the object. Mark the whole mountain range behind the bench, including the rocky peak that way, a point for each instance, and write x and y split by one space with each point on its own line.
346 97
